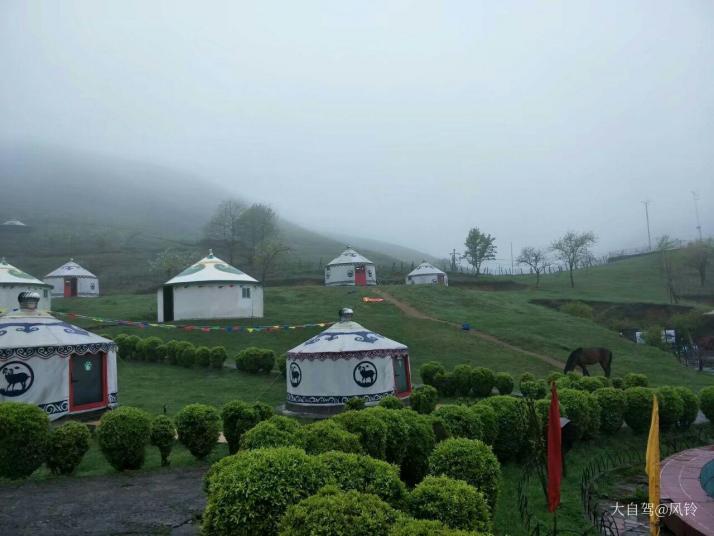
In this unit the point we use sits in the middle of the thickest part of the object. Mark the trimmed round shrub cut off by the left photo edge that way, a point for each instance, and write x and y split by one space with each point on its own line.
24 439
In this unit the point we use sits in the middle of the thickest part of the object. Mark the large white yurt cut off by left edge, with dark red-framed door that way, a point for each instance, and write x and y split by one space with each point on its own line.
62 368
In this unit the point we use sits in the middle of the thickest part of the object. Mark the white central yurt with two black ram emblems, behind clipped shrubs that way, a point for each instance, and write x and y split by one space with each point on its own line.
345 361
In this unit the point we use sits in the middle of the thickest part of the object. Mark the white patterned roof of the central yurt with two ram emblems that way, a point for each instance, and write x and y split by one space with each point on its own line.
345 340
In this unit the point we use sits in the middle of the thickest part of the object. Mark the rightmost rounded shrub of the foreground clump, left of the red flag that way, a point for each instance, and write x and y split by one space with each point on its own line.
469 460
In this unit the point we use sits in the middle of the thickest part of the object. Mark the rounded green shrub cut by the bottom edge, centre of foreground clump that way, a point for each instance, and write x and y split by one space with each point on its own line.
341 513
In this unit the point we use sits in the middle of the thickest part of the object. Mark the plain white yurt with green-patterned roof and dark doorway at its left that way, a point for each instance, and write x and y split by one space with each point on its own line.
210 289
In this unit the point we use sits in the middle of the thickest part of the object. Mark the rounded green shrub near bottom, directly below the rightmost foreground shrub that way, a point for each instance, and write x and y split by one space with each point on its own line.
453 502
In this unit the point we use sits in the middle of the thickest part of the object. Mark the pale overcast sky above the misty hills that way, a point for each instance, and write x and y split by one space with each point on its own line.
403 121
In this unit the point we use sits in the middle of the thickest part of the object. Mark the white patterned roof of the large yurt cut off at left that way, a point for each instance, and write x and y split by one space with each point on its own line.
28 333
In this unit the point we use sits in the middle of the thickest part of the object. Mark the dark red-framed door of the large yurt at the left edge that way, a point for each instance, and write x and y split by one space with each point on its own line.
86 373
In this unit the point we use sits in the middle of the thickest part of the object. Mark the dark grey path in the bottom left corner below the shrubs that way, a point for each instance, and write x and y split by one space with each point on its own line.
160 502
